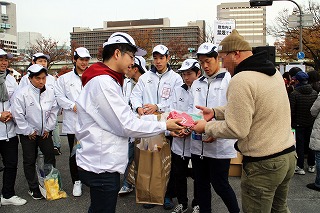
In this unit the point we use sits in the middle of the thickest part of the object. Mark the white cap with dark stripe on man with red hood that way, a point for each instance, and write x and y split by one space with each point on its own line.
124 38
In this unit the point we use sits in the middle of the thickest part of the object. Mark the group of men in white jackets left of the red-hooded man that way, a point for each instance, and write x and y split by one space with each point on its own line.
31 113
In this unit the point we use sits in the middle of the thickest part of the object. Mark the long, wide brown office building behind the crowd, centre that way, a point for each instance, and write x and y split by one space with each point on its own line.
159 31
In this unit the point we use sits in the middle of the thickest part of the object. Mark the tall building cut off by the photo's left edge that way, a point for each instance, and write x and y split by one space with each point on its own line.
8 27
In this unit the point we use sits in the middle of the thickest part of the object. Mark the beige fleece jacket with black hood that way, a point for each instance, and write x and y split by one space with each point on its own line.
257 112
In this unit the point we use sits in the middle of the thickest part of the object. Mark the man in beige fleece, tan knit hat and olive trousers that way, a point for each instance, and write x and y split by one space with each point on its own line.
258 115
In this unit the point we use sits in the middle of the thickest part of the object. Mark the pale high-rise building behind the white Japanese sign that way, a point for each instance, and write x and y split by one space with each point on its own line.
250 21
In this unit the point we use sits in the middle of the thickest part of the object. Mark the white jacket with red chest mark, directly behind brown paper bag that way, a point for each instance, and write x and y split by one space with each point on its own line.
153 88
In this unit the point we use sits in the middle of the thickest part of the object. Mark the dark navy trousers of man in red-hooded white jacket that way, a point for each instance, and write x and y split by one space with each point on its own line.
104 188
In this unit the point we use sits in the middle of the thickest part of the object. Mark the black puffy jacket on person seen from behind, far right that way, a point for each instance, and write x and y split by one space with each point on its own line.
301 100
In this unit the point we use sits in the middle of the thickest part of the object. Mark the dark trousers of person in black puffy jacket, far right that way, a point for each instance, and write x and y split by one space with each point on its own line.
302 145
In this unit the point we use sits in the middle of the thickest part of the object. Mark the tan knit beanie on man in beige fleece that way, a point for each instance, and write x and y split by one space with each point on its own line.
234 42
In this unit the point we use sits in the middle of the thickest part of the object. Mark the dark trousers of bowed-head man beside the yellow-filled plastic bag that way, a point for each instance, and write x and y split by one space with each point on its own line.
30 153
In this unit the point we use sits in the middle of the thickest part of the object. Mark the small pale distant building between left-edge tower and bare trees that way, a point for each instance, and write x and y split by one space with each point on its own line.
27 39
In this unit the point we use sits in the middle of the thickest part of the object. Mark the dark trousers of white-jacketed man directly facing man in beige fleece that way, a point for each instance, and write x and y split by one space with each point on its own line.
215 172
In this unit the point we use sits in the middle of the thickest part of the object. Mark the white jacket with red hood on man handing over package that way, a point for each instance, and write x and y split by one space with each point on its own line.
105 122
